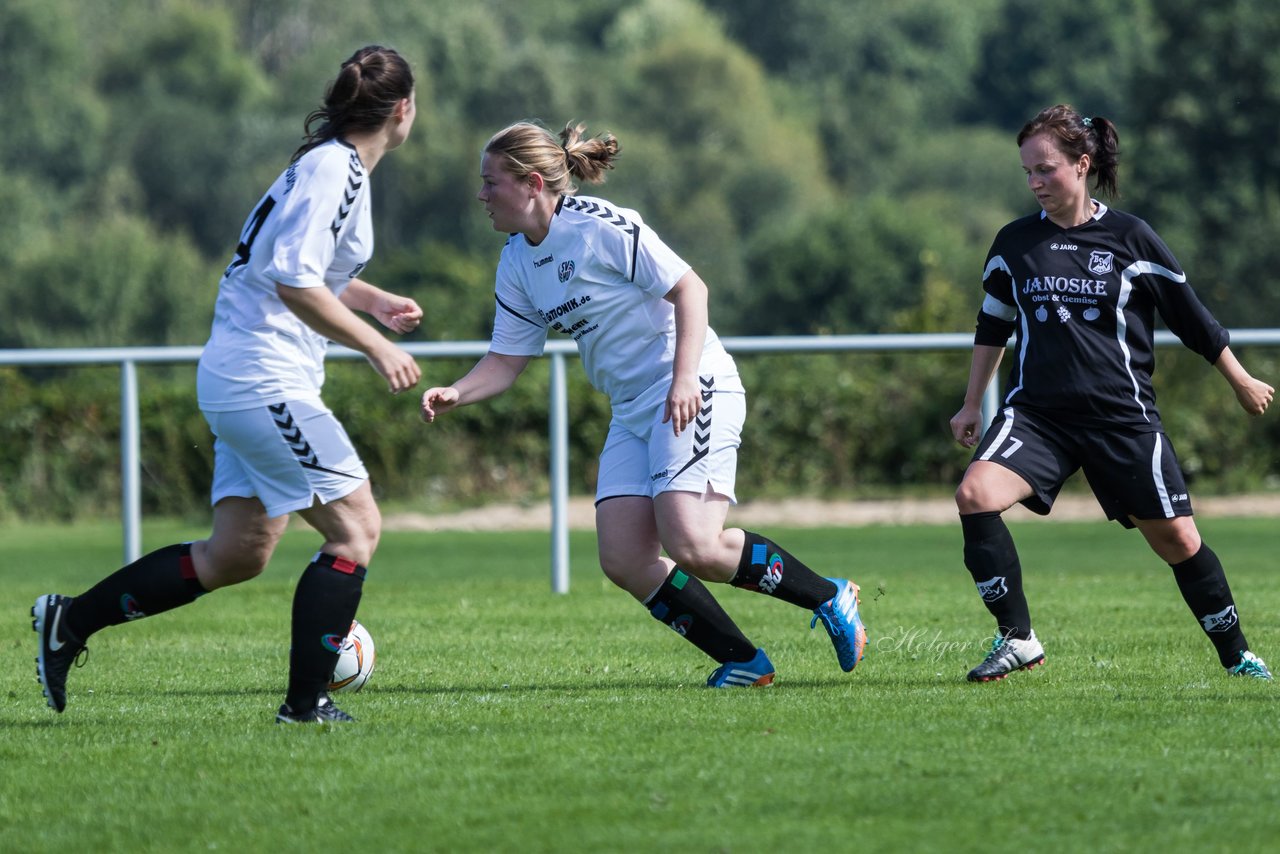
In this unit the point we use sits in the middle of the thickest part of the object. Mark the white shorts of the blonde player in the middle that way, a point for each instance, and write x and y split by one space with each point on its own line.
703 455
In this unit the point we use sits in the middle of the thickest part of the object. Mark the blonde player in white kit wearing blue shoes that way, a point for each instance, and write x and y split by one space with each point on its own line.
589 270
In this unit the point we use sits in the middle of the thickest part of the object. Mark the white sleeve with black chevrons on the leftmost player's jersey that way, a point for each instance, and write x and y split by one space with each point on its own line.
304 240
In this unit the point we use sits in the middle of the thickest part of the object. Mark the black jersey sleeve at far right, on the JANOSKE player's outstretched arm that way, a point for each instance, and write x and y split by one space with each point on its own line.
1162 277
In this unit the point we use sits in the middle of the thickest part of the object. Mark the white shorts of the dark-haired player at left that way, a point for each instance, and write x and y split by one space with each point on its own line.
286 455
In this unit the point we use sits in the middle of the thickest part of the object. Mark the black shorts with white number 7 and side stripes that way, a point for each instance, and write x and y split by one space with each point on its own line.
1131 473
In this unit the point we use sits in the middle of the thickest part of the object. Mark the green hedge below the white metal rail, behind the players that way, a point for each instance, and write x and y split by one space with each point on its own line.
819 424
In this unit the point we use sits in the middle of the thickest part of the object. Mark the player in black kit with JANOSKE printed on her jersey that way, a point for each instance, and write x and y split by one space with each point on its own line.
1082 284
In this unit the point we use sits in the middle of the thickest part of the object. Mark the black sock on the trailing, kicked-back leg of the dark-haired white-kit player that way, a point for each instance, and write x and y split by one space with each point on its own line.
156 583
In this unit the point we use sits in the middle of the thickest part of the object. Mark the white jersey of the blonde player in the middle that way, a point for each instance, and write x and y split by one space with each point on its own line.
601 277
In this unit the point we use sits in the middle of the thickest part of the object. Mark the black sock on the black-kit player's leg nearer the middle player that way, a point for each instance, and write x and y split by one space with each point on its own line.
993 561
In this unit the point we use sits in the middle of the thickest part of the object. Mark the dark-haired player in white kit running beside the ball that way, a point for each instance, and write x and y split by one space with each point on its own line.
291 287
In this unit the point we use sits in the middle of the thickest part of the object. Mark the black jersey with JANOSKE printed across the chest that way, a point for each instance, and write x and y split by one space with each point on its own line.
1084 302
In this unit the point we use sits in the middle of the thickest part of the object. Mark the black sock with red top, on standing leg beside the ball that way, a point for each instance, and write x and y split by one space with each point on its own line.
324 605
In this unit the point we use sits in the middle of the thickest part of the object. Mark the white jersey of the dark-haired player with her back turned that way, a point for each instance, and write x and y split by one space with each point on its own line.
312 230
